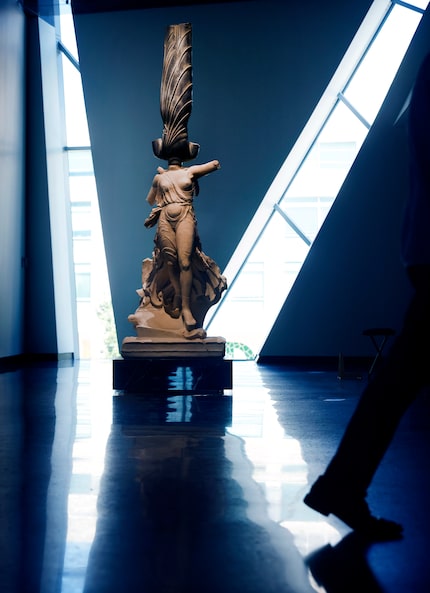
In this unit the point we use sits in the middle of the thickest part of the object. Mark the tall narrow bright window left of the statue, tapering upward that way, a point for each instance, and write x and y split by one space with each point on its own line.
96 327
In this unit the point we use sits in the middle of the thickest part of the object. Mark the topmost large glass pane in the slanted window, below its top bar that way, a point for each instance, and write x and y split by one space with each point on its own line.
372 80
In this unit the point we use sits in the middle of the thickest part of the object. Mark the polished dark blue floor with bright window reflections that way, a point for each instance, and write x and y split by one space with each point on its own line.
103 492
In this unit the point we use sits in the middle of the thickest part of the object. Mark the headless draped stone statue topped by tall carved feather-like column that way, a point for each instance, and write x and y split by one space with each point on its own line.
180 283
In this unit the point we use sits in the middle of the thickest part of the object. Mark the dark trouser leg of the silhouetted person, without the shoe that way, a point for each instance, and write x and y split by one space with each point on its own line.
394 386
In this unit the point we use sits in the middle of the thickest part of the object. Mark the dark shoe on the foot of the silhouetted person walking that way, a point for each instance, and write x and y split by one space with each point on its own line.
353 511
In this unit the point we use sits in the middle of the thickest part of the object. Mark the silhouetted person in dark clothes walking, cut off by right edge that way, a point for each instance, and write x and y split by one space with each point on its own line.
342 489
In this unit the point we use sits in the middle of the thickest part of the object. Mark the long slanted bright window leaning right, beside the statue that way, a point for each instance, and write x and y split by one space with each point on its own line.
304 190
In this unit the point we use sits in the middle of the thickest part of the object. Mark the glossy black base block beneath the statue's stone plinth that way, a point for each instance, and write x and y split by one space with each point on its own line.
172 375
